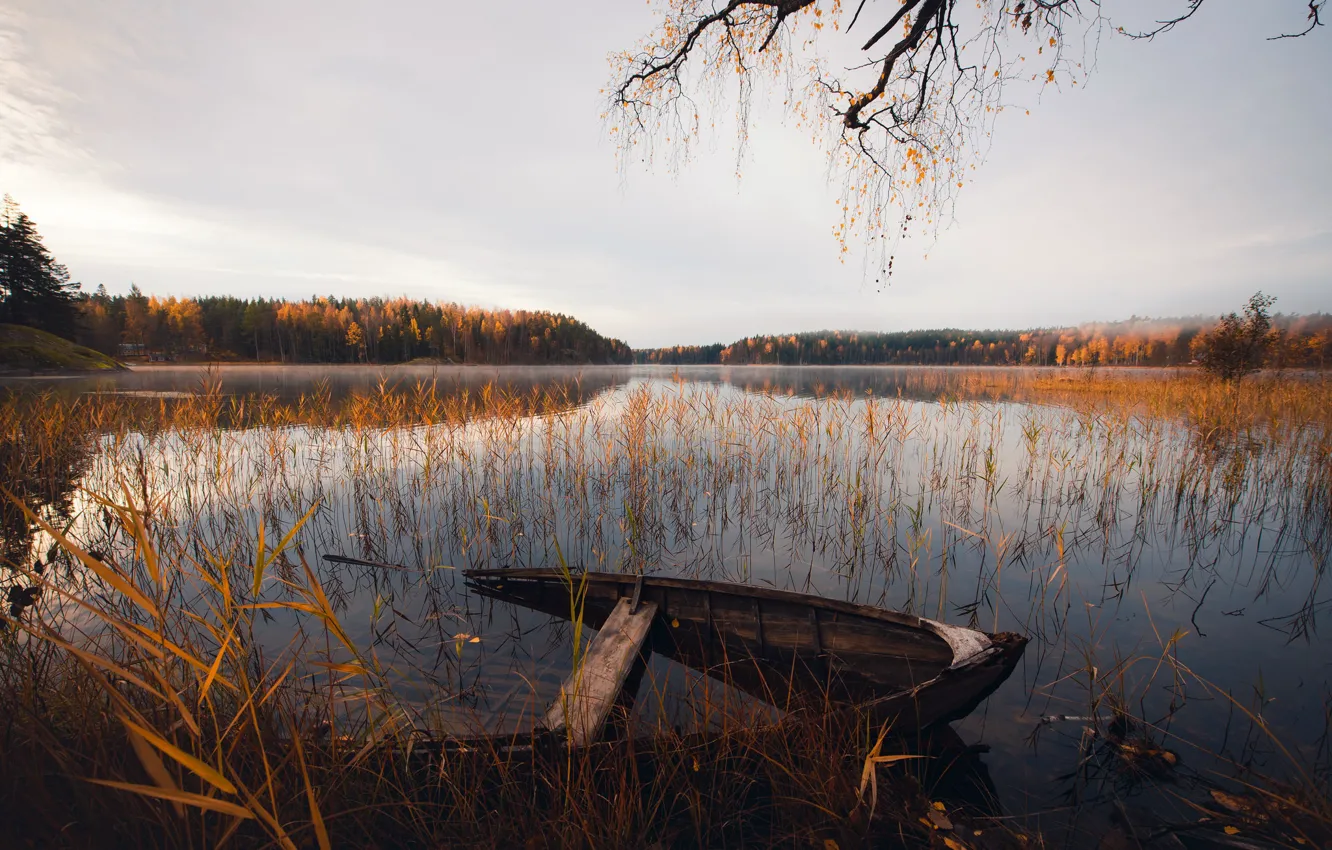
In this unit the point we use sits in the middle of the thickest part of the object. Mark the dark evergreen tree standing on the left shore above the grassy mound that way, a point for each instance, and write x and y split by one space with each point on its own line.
35 290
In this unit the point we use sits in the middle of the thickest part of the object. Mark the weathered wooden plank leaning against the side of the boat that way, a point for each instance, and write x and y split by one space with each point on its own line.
589 693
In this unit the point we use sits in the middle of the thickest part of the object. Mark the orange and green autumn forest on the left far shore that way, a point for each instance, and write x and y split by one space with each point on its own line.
380 331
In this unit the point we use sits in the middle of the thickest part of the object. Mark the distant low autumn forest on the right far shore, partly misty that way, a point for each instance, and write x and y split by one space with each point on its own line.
1297 342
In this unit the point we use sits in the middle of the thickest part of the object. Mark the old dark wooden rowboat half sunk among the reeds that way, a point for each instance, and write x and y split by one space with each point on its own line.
784 647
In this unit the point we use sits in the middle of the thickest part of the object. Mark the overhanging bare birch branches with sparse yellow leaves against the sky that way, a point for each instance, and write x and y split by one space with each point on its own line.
904 122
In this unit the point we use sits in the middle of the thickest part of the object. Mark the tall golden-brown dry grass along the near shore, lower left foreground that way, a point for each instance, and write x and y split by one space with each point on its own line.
147 715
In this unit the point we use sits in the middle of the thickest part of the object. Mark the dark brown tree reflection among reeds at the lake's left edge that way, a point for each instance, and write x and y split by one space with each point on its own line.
42 463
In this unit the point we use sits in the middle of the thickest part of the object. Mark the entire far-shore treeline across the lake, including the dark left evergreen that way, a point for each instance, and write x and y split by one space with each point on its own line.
37 291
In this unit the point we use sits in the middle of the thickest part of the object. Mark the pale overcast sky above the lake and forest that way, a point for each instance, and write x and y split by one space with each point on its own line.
456 153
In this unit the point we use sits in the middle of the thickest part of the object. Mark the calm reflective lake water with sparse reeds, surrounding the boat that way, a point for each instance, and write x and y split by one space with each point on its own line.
1128 547
